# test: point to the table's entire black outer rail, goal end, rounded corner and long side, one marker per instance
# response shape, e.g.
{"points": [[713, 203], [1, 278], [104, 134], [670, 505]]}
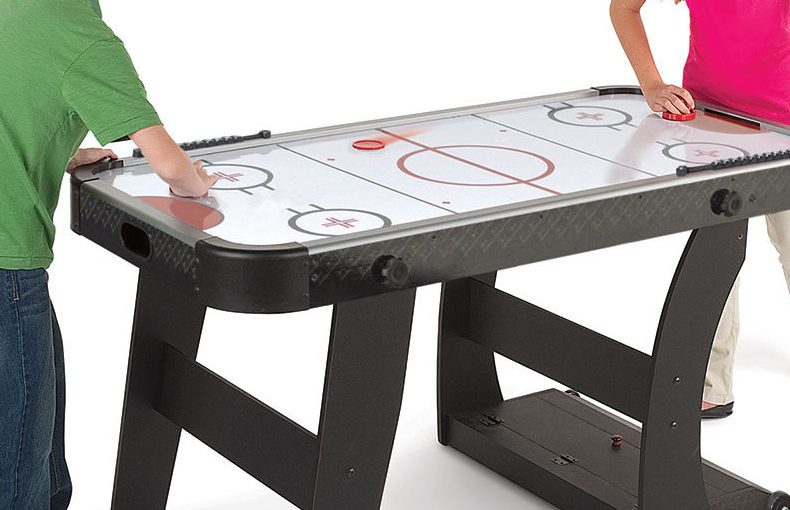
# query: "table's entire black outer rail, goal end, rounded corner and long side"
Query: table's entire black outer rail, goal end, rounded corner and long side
{"points": [[273, 279]]}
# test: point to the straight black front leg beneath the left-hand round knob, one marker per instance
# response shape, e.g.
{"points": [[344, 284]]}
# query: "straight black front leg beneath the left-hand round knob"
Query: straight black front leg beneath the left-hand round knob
{"points": [[363, 391]]}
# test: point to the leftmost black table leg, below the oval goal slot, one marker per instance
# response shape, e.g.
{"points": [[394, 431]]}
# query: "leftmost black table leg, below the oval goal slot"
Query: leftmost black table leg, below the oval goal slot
{"points": [[149, 441]]}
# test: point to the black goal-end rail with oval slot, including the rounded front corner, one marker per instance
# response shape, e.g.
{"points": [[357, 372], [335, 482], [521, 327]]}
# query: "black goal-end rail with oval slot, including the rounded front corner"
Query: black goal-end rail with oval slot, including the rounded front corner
{"points": [[225, 276]]}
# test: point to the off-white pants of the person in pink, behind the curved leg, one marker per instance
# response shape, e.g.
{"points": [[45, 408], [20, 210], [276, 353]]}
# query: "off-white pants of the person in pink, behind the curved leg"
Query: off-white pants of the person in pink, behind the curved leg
{"points": [[718, 382]]}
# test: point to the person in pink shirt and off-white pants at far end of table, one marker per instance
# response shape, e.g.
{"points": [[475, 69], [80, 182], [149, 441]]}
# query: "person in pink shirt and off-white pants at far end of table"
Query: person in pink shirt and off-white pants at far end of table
{"points": [[739, 57]]}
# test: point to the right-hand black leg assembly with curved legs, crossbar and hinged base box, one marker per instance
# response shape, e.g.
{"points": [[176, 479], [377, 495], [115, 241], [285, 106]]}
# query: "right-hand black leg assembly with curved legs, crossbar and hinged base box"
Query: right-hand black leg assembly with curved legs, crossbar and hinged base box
{"points": [[567, 450]]}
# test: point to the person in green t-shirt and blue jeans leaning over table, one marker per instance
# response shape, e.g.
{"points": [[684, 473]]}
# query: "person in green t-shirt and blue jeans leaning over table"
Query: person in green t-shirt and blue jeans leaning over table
{"points": [[64, 73]]}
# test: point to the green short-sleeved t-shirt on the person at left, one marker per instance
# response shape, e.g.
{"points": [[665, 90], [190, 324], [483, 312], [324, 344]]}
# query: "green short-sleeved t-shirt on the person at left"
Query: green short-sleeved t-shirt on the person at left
{"points": [[62, 73]]}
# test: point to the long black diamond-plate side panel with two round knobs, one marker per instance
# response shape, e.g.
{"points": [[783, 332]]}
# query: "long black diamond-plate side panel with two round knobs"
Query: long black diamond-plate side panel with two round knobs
{"points": [[479, 248]]}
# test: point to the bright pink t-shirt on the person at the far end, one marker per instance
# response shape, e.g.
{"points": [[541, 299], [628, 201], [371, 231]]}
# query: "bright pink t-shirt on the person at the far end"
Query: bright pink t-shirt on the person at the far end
{"points": [[739, 56]]}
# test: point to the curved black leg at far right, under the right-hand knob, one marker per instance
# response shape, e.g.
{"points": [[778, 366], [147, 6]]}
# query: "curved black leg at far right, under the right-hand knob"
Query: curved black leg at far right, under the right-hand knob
{"points": [[671, 431]]}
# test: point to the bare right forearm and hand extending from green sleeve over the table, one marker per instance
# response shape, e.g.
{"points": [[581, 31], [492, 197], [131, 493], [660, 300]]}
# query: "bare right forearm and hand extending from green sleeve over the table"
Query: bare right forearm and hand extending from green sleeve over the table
{"points": [[172, 164]]}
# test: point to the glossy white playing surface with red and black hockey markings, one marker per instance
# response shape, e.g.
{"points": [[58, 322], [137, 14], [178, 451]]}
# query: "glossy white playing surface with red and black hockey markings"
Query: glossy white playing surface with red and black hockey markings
{"points": [[319, 187]]}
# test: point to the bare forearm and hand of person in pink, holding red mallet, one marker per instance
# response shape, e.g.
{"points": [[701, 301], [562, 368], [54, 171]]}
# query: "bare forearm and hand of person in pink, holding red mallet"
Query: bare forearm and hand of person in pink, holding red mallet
{"points": [[661, 97]]}
